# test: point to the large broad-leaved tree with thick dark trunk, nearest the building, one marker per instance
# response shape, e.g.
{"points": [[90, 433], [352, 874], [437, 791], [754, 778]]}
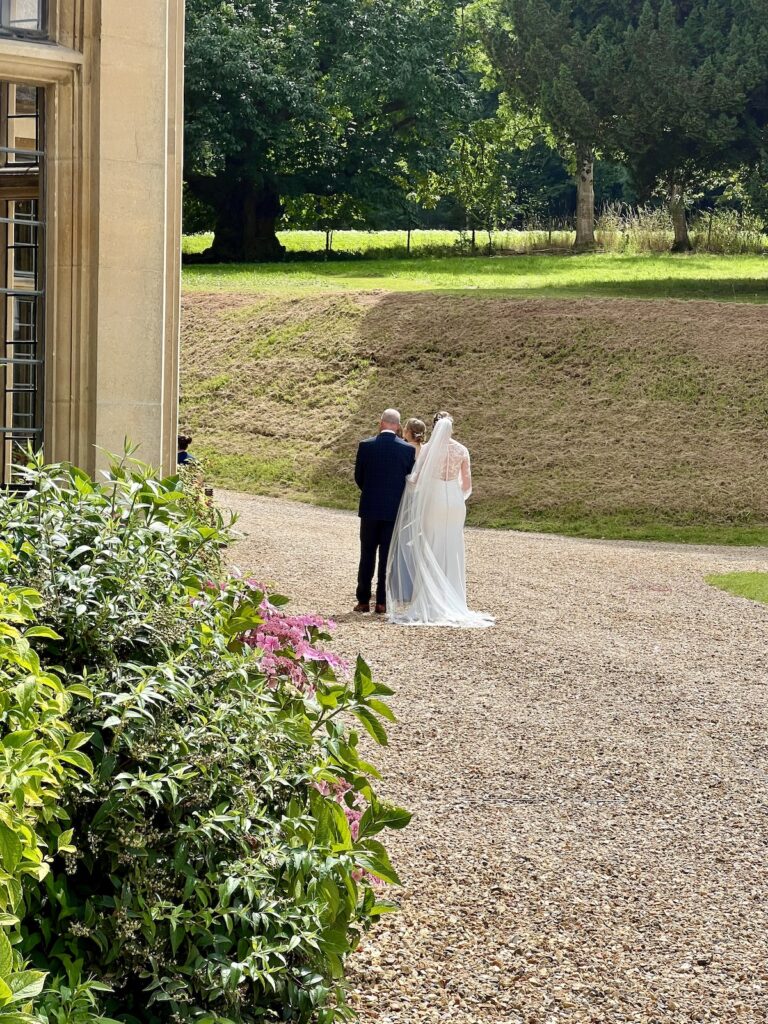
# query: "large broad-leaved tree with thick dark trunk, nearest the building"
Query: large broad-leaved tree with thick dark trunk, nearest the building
{"points": [[294, 98]]}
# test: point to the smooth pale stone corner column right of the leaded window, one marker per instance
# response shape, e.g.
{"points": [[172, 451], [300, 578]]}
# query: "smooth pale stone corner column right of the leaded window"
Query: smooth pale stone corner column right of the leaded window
{"points": [[138, 114]]}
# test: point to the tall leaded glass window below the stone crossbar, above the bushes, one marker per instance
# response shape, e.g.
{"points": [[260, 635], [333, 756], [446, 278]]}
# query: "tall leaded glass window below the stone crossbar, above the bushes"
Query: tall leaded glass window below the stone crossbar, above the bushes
{"points": [[23, 291]]}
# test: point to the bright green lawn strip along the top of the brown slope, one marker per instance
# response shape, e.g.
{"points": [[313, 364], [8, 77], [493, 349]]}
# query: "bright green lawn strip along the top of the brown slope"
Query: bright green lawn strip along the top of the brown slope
{"points": [[743, 279]]}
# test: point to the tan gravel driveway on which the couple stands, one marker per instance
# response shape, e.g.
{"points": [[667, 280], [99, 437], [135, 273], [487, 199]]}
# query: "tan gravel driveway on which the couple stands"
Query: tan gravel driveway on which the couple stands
{"points": [[589, 780]]}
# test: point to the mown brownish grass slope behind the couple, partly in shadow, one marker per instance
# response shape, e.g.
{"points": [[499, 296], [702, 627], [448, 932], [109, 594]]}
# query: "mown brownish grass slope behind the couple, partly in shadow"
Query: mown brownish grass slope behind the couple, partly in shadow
{"points": [[587, 416]]}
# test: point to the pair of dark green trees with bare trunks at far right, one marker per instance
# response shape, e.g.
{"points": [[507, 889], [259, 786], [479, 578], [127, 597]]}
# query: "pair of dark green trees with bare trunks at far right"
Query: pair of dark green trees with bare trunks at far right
{"points": [[674, 89]]}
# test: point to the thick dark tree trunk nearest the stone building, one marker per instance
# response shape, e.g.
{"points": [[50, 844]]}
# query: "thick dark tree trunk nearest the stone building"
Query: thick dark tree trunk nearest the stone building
{"points": [[246, 221]]}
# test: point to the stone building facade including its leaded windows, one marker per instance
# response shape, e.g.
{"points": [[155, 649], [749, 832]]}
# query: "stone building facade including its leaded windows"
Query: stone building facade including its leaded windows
{"points": [[91, 218]]}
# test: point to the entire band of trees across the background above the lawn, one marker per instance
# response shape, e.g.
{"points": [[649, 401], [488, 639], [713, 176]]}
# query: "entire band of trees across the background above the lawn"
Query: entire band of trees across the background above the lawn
{"points": [[364, 110]]}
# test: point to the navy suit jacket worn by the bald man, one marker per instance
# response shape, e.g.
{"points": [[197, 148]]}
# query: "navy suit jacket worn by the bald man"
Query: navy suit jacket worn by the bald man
{"points": [[380, 472]]}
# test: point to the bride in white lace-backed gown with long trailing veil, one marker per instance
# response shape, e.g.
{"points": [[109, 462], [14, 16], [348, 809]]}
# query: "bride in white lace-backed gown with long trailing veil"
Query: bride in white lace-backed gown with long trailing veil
{"points": [[426, 584]]}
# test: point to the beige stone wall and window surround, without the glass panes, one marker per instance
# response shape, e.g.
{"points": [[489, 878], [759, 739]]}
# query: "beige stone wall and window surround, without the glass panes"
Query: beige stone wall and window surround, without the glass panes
{"points": [[113, 197]]}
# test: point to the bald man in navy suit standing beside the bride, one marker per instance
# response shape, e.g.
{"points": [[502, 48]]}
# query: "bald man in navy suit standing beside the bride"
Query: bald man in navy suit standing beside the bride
{"points": [[380, 472]]}
